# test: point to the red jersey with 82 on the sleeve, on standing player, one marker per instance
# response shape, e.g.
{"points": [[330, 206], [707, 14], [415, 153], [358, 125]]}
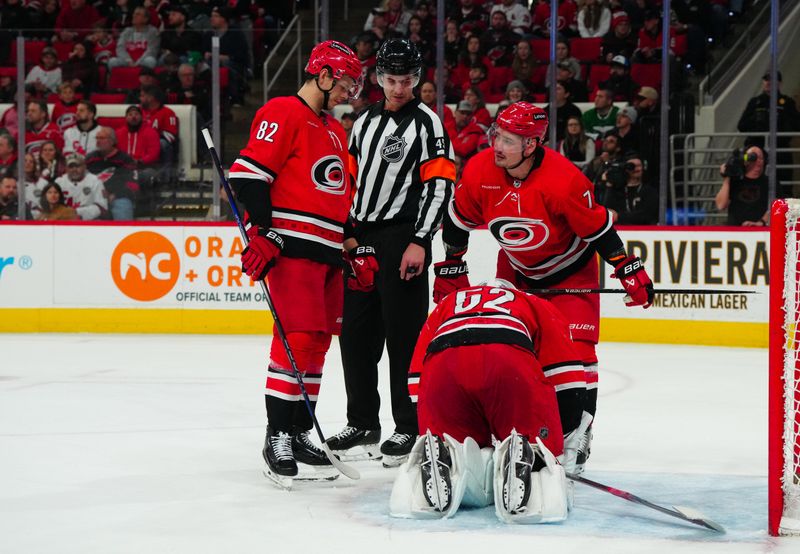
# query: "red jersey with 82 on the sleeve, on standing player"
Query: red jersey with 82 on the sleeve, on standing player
{"points": [[302, 157]]}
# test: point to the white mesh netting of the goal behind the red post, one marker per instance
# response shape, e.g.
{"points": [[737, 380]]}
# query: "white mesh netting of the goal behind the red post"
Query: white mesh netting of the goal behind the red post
{"points": [[790, 522]]}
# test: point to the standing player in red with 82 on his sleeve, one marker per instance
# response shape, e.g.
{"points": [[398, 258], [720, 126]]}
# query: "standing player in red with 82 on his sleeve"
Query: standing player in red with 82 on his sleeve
{"points": [[292, 179]]}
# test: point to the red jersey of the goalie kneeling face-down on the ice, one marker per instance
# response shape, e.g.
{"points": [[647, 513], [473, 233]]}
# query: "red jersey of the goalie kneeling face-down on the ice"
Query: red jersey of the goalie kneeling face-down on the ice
{"points": [[486, 315]]}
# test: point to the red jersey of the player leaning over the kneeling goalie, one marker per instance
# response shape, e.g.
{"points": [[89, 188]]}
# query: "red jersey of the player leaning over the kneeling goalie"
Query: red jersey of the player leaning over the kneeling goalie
{"points": [[544, 224]]}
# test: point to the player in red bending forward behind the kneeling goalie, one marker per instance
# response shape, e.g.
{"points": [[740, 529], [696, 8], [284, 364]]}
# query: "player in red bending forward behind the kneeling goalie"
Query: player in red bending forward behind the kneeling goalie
{"points": [[541, 210]]}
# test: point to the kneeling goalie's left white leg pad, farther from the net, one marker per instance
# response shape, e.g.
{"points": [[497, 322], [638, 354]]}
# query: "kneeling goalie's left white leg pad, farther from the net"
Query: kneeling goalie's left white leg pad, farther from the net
{"points": [[418, 491]]}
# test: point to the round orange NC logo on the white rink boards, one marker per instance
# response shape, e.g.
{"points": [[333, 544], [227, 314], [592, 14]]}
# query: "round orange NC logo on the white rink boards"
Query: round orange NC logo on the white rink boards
{"points": [[145, 266]]}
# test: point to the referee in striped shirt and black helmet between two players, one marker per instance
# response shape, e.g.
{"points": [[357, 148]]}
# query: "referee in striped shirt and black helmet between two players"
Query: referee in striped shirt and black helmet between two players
{"points": [[402, 164]]}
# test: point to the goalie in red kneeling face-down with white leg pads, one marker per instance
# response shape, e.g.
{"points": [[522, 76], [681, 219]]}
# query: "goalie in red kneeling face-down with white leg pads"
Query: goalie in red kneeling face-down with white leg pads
{"points": [[492, 361]]}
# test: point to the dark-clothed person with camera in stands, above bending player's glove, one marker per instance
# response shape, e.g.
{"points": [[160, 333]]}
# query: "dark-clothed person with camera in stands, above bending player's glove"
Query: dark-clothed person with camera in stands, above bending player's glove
{"points": [[630, 200]]}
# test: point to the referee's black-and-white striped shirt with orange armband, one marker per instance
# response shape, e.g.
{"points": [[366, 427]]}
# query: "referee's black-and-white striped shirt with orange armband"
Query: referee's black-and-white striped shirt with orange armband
{"points": [[403, 168]]}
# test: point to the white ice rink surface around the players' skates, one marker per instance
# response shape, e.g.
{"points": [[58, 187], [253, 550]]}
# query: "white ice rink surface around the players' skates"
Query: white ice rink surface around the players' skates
{"points": [[153, 444]]}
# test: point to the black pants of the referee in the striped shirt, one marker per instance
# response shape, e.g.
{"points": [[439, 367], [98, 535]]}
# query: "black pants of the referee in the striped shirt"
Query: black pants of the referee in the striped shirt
{"points": [[393, 313]]}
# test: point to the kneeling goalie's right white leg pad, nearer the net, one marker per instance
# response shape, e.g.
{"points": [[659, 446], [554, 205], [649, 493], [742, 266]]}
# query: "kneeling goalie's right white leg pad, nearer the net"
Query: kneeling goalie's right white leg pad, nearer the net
{"points": [[522, 495]]}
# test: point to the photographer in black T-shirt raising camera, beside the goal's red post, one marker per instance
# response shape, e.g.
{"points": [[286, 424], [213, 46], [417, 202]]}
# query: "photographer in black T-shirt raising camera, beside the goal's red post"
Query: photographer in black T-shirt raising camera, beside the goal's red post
{"points": [[745, 188]]}
